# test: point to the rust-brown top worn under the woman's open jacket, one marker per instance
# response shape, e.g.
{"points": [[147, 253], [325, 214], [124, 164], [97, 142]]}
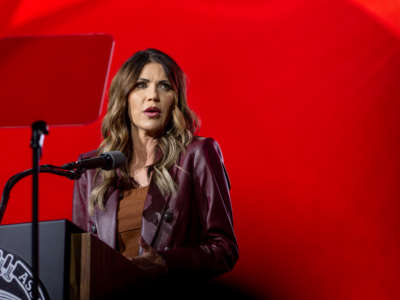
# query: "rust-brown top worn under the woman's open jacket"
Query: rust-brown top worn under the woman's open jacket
{"points": [[129, 217]]}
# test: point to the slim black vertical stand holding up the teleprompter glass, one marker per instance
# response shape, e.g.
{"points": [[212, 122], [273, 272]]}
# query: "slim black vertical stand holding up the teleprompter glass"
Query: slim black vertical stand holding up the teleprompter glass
{"points": [[39, 128]]}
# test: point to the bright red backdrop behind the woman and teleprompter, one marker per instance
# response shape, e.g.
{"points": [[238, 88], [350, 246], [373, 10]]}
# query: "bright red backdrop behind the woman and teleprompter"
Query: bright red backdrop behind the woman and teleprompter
{"points": [[303, 97]]}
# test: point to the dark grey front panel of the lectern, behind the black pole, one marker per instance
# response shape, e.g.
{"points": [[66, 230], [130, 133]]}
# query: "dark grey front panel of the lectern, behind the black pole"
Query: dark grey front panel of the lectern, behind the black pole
{"points": [[54, 254]]}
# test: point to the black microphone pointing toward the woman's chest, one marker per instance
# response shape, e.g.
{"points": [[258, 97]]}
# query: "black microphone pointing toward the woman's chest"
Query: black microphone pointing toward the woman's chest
{"points": [[106, 161]]}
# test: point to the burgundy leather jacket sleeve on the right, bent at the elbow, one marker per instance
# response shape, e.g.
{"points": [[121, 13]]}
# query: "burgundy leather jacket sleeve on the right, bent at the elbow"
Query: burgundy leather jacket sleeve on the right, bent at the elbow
{"points": [[218, 251]]}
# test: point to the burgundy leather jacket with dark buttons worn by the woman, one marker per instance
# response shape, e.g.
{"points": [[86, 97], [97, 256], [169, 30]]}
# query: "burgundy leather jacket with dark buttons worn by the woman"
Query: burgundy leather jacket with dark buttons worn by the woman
{"points": [[191, 229]]}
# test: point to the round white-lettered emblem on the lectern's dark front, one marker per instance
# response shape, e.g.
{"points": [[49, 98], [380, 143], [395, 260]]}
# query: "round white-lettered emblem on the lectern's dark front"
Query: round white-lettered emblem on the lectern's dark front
{"points": [[16, 279]]}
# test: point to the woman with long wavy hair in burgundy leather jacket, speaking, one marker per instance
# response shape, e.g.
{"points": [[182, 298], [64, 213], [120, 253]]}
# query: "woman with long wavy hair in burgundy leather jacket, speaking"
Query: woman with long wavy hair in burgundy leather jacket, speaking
{"points": [[168, 209]]}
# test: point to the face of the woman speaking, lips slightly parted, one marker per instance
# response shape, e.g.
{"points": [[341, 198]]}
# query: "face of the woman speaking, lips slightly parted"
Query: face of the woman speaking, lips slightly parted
{"points": [[151, 100]]}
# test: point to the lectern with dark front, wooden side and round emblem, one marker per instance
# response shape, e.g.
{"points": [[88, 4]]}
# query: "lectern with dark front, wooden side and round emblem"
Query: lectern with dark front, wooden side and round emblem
{"points": [[73, 264]]}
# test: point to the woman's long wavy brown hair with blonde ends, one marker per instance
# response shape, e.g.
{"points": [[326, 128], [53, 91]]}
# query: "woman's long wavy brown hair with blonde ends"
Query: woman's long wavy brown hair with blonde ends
{"points": [[116, 128]]}
